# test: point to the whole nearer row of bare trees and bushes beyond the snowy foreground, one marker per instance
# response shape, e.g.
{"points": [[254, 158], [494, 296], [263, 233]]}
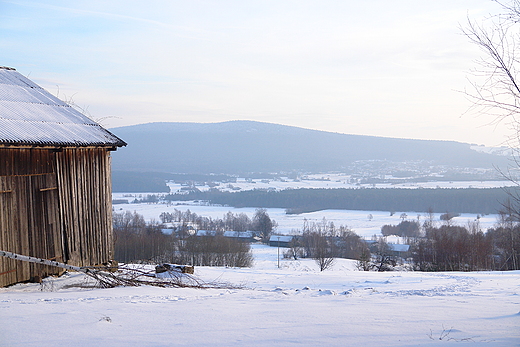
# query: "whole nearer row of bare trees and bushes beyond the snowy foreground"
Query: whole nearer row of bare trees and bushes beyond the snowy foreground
{"points": [[434, 245]]}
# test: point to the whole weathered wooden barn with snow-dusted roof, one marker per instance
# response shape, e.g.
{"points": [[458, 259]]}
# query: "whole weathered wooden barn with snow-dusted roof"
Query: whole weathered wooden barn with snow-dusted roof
{"points": [[55, 182]]}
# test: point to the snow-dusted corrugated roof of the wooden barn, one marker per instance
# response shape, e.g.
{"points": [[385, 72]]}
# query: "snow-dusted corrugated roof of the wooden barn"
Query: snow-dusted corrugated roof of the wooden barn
{"points": [[29, 115]]}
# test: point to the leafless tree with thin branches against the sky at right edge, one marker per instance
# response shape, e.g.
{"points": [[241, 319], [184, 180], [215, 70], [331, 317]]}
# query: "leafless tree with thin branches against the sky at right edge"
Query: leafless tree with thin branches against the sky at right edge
{"points": [[496, 92]]}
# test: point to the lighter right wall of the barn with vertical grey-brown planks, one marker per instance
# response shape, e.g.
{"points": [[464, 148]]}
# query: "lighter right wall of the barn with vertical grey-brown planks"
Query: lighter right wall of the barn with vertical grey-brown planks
{"points": [[86, 205]]}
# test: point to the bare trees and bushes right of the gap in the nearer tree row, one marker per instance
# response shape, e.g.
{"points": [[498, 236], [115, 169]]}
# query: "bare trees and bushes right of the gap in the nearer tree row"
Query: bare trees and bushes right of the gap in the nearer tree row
{"points": [[433, 247]]}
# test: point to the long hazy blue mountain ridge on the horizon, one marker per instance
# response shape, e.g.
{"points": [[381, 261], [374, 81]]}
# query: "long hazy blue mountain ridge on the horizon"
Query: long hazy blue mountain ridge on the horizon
{"points": [[238, 147]]}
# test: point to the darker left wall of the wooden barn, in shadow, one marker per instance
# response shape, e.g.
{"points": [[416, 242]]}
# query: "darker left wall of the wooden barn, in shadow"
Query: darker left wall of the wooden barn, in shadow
{"points": [[29, 213]]}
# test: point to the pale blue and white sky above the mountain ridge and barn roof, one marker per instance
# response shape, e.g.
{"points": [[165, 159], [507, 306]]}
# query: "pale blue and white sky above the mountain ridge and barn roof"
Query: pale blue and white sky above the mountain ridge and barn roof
{"points": [[377, 67]]}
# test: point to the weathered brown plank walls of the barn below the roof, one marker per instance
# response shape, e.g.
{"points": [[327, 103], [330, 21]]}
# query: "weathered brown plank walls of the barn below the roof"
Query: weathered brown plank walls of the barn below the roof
{"points": [[54, 205]]}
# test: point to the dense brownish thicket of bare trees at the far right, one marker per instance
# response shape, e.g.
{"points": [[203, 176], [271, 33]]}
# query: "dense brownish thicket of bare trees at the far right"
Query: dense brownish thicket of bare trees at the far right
{"points": [[449, 247]]}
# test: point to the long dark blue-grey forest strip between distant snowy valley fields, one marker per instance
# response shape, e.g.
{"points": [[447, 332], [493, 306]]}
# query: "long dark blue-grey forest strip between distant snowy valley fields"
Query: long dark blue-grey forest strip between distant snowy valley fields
{"points": [[469, 200]]}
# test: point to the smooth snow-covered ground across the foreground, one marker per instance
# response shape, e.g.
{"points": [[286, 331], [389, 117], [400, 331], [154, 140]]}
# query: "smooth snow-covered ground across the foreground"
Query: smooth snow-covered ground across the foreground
{"points": [[294, 305]]}
